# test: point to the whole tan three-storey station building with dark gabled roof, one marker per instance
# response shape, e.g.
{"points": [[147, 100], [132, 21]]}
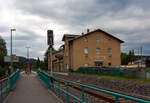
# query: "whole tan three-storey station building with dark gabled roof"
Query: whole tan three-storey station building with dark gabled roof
{"points": [[93, 49]]}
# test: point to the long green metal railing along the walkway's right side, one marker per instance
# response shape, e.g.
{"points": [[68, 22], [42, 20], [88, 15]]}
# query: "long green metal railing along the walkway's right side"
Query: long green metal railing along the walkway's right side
{"points": [[50, 83]]}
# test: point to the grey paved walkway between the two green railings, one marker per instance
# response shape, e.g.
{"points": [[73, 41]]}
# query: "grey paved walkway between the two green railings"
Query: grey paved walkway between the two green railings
{"points": [[30, 90]]}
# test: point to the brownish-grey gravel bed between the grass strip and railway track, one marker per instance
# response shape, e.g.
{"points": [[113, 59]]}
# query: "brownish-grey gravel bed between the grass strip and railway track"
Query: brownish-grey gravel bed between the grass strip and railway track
{"points": [[127, 86]]}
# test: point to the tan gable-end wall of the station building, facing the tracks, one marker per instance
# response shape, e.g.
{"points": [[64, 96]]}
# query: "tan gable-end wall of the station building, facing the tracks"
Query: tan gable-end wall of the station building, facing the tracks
{"points": [[79, 57]]}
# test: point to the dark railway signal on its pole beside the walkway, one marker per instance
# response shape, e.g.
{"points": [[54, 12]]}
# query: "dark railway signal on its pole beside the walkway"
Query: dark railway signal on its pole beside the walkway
{"points": [[50, 43]]}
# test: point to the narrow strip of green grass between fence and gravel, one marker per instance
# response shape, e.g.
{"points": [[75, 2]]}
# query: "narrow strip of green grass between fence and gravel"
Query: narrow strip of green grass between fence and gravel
{"points": [[116, 78]]}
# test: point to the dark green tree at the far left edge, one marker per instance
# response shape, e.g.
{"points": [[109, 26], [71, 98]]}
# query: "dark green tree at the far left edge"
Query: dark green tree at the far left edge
{"points": [[3, 51]]}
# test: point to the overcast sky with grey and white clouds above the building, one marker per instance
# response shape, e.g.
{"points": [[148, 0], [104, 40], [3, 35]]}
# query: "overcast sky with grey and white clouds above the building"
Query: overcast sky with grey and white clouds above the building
{"points": [[129, 20]]}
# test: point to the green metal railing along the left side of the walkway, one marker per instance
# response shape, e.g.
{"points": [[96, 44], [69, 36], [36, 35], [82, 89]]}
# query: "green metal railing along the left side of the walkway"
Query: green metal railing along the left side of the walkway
{"points": [[8, 84]]}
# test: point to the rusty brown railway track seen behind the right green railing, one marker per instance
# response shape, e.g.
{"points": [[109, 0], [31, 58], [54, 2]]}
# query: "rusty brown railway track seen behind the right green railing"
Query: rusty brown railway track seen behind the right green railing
{"points": [[100, 97]]}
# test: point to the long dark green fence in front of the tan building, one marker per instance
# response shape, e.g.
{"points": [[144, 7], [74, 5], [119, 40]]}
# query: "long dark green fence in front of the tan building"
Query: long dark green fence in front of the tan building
{"points": [[117, 72]]}
